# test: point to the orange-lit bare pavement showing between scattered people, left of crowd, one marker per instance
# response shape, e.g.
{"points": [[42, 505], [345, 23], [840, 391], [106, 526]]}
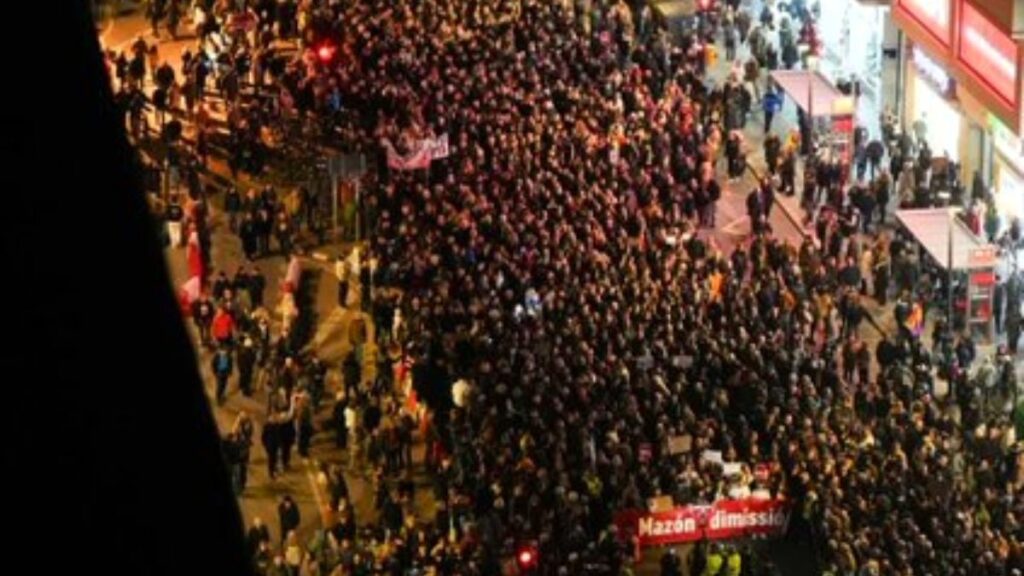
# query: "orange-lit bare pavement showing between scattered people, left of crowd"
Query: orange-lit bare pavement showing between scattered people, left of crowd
{"points": [[331, 340]]}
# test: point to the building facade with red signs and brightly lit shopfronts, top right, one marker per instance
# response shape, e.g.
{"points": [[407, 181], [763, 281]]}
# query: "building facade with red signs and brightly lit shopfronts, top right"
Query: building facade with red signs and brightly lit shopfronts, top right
{"points": [[962, 74]]}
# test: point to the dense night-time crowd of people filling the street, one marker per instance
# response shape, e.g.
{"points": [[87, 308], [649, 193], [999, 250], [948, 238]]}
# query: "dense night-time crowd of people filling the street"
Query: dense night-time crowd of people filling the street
{"points": [[552, 274]]}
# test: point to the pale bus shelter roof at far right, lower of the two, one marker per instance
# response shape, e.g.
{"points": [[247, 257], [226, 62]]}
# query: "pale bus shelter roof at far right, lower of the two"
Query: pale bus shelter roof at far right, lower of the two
{"points": [[931, 228]]}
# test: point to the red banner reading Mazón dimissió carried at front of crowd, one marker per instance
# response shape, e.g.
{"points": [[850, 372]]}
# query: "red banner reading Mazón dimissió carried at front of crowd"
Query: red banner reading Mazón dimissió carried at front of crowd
{"points": [[722, 521]]}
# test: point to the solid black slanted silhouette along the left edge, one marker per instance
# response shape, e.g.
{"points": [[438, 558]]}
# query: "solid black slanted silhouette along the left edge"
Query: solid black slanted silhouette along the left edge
{"points": [[116, 463]]}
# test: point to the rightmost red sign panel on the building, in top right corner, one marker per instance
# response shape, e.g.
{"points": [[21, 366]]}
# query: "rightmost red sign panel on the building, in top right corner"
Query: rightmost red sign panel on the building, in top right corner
{"points": [[990, 54]]}
